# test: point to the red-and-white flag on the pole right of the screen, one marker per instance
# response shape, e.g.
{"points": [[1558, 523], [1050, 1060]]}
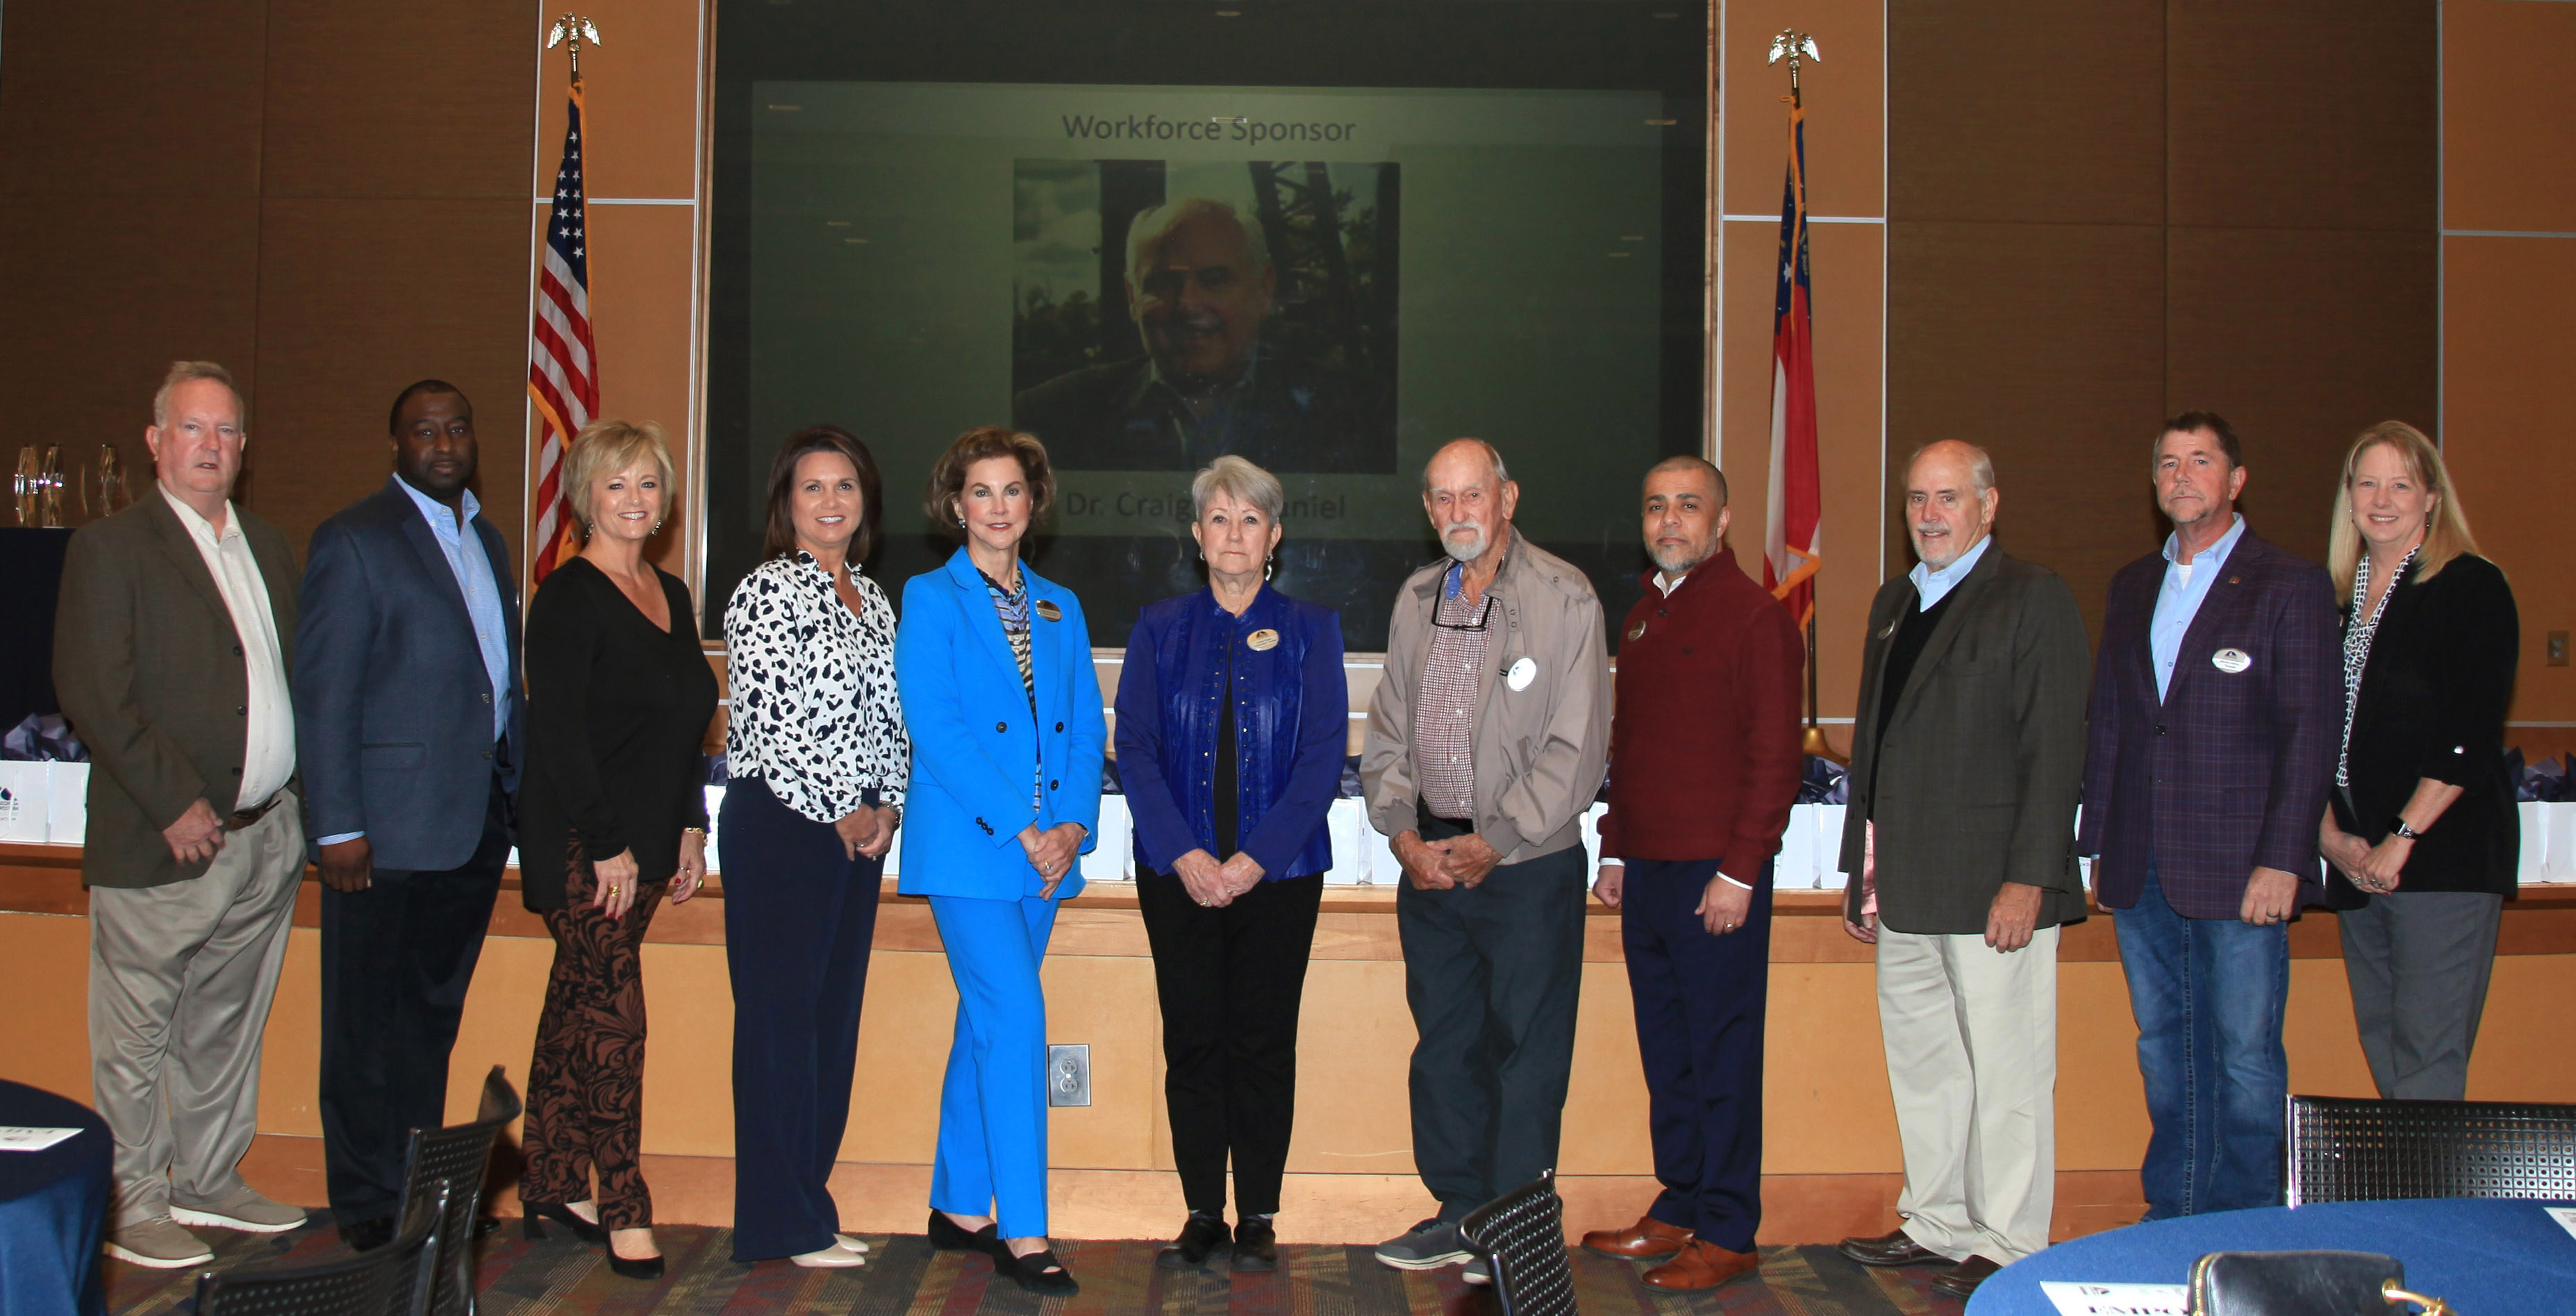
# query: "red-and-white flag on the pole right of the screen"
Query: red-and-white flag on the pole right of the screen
{"points": [[1797, 488]]}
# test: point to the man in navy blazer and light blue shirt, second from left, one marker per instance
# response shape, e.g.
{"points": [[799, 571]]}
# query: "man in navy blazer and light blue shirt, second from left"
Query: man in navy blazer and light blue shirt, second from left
{"points": [[408, 720]]}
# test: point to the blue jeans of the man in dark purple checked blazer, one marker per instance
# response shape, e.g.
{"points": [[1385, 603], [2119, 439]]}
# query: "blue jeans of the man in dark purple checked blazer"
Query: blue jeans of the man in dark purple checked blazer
{"points": [[2209, 998]]}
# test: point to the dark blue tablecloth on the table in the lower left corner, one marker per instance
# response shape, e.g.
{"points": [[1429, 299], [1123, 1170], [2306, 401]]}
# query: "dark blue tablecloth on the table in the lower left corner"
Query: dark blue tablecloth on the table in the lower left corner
{"points": [[53, 1207]]}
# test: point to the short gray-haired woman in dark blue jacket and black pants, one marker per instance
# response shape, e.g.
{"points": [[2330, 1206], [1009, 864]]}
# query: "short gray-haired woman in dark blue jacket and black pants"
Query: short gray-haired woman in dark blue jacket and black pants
{"points": [[1233, 722]]}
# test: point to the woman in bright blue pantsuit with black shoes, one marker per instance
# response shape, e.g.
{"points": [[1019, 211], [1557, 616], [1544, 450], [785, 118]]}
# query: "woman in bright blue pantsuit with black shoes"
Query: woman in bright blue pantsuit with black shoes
{"points": [[996, 673]]}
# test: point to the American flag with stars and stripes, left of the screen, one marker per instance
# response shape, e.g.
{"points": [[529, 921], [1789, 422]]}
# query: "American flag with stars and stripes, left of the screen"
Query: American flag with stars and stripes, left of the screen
{"points": [[563, 370]]}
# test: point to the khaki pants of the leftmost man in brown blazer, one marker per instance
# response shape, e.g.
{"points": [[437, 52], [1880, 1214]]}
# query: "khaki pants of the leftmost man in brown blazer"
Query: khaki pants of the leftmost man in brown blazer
{"points": [[182, 980]]}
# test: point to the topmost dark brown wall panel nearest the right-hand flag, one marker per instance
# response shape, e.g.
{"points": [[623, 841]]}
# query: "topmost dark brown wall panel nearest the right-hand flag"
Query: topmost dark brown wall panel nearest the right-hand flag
{"points": [[2026, 109]]}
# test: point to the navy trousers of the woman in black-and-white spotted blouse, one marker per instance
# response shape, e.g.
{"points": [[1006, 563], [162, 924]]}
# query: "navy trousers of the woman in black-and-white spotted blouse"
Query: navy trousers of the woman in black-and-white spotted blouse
{"points": [[800, 916]]}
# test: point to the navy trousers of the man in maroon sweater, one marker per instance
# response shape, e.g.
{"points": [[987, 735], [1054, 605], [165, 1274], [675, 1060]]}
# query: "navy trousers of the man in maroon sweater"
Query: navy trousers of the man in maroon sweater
{"points": [[1699, 1029]]}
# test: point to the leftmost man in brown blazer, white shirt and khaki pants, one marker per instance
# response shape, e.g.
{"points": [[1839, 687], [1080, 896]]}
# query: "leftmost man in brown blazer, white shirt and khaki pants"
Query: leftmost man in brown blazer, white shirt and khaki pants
{"points": [[171, 666]]}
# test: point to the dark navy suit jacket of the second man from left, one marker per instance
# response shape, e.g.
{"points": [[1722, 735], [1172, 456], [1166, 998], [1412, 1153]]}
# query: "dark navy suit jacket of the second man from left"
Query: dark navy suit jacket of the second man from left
{"points": [[393, 697]]}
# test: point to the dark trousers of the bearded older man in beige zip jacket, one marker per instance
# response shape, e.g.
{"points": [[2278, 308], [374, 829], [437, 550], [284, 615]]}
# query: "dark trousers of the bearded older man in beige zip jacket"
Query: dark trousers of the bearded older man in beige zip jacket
{"points": [[1493, 980]]}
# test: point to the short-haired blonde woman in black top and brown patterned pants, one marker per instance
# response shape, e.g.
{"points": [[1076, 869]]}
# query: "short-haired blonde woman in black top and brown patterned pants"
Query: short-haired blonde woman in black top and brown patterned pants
{"points": [[609, 815]]}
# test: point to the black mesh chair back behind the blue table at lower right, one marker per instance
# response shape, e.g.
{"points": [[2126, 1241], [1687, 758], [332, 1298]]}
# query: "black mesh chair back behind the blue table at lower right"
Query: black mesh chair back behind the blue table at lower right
{"points": [[2348, 1150]]}
